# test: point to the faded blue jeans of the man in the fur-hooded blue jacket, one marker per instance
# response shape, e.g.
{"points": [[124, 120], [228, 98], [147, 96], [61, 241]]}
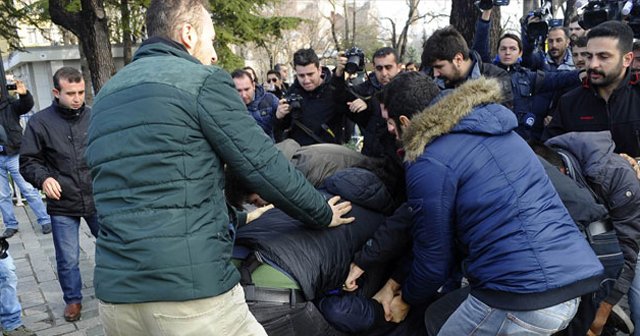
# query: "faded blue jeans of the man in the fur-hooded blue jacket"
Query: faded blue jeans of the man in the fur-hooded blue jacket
{"points": [[474, 317]]}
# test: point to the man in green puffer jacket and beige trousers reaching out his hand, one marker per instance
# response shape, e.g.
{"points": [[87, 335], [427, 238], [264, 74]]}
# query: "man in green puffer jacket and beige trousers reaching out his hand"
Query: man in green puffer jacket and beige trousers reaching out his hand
{"points": [[161, 133]]}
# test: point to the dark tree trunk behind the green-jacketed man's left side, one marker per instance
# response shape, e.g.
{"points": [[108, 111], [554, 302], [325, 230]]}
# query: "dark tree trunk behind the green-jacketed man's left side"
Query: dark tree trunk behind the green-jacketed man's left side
{"points": [[90, 25]]}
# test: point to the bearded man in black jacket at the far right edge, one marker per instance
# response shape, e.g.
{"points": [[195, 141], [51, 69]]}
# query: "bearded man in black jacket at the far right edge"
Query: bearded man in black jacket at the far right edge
{"points": [[610, 96]]}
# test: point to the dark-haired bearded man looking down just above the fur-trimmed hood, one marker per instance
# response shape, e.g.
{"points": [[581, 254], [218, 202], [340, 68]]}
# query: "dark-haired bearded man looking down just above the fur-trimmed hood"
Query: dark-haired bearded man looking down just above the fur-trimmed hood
{"points": [[446, 52]]}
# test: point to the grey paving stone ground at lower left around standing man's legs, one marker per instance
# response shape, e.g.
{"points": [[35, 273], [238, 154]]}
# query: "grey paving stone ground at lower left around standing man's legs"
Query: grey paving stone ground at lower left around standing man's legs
{"points": [[38, 287]]}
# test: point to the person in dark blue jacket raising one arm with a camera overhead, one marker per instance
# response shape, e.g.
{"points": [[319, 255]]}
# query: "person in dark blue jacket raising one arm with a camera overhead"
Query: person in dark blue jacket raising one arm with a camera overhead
{"points": [[532, 90]]}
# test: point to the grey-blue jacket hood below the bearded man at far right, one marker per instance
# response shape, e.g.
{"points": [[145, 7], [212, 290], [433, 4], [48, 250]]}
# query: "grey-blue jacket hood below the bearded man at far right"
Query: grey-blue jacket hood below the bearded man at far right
{"points": [[589, 148]]}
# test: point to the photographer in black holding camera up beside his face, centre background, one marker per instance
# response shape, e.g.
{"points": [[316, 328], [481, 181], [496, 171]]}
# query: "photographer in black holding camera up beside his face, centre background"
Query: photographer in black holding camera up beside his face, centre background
{"points": [[364, 108]]}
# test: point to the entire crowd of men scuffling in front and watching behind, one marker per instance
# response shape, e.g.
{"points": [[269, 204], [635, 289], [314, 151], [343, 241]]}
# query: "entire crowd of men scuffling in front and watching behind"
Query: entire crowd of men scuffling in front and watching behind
{"points": [[491, 196]]}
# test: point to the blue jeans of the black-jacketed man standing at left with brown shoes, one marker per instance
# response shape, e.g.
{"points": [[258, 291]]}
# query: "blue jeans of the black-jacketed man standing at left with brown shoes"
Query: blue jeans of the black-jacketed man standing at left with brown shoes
{"points": [[66, 241]]}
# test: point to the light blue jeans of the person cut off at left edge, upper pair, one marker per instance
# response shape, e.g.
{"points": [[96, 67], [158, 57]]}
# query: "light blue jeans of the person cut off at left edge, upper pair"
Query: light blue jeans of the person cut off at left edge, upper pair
{"points": [[10, 165]]}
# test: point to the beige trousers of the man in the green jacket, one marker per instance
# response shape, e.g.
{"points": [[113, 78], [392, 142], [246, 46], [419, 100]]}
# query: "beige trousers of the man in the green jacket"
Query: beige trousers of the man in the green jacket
{"points": [[224, 315]]}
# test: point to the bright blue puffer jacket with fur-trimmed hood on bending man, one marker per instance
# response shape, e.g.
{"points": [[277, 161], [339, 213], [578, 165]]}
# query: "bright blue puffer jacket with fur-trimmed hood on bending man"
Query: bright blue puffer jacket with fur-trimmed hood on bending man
{"points": [[478, 191]]}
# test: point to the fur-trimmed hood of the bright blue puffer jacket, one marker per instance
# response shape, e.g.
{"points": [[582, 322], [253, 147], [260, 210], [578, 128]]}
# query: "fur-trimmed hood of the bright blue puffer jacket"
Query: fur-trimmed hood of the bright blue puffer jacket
{"points": [[471, 108]]}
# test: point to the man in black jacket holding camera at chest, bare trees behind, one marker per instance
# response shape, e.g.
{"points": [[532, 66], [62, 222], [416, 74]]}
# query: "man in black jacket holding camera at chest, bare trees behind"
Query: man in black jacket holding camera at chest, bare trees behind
{"points": [[309, 113]]}
